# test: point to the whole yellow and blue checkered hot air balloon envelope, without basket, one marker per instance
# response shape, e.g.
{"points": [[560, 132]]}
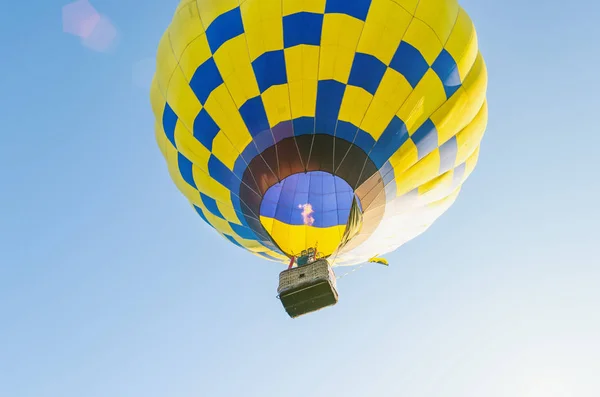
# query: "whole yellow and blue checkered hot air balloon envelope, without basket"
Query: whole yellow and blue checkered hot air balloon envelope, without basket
{"points": [[274, 116]]}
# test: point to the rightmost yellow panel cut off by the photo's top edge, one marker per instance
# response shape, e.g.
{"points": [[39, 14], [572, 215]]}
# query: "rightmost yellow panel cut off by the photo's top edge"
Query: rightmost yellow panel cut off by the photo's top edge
{"points": [[440, 15]]}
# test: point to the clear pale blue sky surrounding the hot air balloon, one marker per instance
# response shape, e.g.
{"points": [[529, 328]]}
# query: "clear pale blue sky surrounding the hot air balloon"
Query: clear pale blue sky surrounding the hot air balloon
{"points": [[110, 285]]}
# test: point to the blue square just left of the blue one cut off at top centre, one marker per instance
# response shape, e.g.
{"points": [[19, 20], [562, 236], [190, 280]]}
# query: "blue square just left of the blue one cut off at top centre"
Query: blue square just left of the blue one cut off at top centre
{"points": [[302, 28]]}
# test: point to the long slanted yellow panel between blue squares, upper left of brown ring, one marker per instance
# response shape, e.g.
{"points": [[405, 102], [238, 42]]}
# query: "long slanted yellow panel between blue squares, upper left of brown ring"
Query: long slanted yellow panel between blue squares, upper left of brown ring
{"points": [[223, 111]]}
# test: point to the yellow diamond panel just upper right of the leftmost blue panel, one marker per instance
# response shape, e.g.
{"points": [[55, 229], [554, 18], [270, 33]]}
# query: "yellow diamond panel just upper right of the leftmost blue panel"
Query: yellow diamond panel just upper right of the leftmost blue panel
{"points": [[182, 99]]}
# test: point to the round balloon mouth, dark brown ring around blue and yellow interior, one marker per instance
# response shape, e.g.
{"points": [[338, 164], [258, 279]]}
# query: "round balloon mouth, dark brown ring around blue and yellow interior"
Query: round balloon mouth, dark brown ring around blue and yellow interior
{"points": [[291, 222]]}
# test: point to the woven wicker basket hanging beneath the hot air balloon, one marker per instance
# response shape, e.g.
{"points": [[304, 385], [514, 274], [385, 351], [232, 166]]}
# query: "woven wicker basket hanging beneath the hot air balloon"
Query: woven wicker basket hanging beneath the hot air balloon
{"points": [[307, 288]]}
